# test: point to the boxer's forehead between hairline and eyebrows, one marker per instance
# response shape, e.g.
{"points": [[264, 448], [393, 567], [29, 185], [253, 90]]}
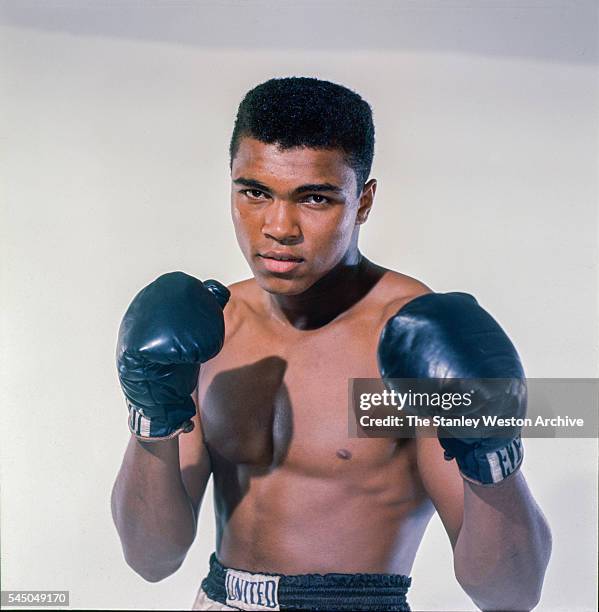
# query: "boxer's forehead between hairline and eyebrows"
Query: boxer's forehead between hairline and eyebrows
{"points": [[268, 162]]}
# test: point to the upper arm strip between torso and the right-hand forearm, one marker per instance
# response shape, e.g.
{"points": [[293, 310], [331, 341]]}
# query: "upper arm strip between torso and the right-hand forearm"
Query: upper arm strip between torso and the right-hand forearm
{"points": [[442, 482]]}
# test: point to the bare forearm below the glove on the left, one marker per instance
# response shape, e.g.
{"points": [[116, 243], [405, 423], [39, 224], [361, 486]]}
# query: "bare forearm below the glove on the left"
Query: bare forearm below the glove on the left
{"points": [[151, 509]]}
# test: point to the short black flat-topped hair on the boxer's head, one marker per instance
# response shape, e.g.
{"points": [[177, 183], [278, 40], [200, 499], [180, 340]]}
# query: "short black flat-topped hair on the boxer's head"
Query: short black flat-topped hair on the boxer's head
{"points": [[308, 112]]}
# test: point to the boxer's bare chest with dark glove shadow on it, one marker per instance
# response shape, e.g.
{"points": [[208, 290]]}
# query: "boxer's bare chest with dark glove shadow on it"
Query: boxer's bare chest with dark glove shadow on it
{"points": [[270, 400]]}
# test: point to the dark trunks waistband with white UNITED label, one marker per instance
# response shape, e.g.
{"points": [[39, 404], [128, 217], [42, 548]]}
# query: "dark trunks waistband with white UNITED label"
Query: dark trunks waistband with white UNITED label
{"points": [[243, 590]]}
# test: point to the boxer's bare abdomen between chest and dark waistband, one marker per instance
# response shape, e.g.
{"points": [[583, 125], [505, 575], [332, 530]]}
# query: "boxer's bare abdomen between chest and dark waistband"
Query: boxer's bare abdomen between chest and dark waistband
{"points": [[289, 522]]}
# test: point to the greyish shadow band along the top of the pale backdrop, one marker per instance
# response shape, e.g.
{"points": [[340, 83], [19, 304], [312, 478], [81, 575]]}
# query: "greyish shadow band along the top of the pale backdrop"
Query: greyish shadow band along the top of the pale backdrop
{"points": [[546, 30]]}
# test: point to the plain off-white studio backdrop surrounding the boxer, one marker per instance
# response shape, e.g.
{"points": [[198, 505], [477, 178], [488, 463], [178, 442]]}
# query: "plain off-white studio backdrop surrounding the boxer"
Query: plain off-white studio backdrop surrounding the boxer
{"points": [[116, 118]]}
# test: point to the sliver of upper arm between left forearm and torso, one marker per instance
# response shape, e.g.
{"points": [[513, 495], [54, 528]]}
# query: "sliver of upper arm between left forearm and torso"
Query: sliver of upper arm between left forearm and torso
{"points": [[194, 461]]}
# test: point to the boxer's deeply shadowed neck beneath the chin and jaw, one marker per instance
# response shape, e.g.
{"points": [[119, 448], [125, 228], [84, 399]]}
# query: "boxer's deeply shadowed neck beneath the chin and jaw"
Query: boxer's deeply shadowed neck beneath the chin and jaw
{"points": [[330, 296]]}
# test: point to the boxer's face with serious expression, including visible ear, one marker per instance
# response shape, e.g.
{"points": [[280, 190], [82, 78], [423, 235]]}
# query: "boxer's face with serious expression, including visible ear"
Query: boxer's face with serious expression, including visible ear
{"points": [[295, 212]]}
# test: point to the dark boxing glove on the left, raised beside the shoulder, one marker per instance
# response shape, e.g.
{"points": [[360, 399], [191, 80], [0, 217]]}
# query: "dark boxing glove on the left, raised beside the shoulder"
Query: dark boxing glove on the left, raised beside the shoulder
{"points": [[170, 328]]}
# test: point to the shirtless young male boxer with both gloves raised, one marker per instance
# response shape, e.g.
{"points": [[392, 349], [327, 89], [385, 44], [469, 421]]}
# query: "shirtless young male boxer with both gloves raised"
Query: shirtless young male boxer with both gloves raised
{"points": [[308, 517]]}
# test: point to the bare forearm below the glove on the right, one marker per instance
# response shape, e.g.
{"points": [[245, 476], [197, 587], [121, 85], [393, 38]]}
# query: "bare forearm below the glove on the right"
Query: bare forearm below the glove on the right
{"points": [[503, 547]]}
